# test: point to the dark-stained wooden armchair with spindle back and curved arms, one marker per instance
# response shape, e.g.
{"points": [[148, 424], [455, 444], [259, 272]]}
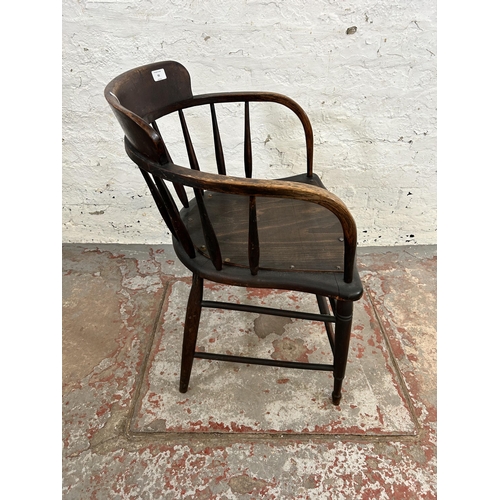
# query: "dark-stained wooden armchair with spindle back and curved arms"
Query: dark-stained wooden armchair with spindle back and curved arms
{"points": [[282, 234]]}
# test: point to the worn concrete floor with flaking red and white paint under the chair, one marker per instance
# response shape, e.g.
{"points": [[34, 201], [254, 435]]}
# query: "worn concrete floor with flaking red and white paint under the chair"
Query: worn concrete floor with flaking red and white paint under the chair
{"points": [[244, 431]]}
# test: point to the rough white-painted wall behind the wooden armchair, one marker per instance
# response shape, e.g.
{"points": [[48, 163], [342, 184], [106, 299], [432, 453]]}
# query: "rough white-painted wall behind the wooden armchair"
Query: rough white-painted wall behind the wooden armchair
{"points": [[370, 95]]}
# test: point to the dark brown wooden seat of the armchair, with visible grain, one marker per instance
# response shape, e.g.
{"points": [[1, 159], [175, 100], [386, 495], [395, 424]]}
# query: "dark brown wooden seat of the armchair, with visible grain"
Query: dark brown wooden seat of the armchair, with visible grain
{"points": [[301, 243]]}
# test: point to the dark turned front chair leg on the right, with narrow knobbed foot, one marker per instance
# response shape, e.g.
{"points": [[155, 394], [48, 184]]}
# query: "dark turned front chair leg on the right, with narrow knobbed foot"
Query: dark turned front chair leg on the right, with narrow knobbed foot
{"points": [[342, 337]]}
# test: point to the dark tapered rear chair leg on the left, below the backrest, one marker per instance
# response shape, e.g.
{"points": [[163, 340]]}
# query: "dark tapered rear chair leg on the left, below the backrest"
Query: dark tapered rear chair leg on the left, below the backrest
{"points": [[191, 325]]}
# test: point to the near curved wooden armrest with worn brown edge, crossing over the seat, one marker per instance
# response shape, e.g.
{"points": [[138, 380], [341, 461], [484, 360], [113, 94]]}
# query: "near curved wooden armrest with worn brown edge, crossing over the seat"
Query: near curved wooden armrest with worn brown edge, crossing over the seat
{"points": [[259, 187]]}
